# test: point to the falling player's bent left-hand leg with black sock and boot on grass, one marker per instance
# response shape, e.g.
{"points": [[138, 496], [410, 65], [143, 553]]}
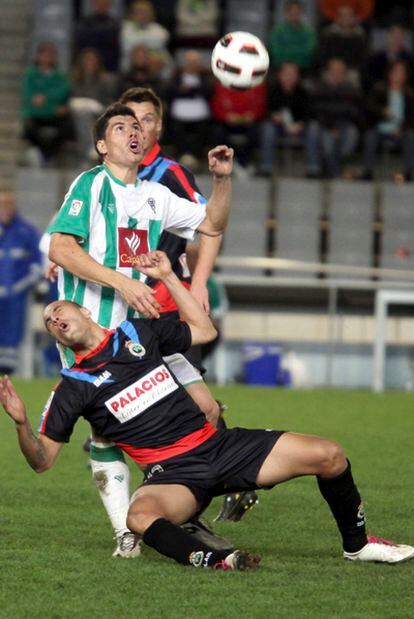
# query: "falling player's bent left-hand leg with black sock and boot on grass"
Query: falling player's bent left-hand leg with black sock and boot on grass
{"points": [[156, 512]]}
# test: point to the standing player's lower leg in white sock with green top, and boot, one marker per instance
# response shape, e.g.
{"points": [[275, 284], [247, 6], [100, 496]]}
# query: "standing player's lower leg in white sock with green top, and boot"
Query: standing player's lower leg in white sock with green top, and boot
{"points": [[111, 475]]}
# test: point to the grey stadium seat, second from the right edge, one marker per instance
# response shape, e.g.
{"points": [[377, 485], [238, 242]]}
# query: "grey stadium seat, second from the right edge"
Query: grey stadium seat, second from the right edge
{"points": [[350, 239]]}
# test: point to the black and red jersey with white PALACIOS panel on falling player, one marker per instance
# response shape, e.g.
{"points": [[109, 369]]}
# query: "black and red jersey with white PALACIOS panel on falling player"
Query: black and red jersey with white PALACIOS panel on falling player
{"points": [[129, 395]]}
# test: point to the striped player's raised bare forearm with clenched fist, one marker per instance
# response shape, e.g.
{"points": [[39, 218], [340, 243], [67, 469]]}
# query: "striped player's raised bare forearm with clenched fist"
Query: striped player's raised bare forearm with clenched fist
{"points": [[220, 163]]}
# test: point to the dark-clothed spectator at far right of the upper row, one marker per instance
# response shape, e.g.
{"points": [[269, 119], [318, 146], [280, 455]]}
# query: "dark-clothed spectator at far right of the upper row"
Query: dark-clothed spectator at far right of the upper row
{"points": [[397, 49]]}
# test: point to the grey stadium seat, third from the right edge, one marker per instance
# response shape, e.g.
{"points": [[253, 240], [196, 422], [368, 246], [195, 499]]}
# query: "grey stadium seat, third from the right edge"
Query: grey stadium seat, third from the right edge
{"points": [[297, 234]]}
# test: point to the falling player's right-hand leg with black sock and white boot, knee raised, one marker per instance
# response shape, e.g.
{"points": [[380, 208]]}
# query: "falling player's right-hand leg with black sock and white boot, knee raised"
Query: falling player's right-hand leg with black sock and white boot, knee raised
{"points": [[295, 455]]}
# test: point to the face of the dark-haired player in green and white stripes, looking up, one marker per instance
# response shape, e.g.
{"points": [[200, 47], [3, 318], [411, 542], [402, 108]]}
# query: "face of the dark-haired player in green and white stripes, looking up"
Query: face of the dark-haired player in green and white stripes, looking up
{"points": [[123, 142]]}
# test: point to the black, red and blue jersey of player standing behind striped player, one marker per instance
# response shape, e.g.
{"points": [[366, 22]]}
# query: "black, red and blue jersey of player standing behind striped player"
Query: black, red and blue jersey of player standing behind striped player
{"points": [[158, 168]]}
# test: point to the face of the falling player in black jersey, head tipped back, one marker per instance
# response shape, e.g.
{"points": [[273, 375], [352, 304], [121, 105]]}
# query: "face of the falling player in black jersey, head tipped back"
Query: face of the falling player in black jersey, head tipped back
{"points": [[68, 323]]}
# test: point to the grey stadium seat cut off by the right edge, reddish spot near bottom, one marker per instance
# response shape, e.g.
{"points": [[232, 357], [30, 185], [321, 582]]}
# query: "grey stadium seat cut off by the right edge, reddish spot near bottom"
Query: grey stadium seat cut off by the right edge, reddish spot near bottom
{"points": [[397, 247]]}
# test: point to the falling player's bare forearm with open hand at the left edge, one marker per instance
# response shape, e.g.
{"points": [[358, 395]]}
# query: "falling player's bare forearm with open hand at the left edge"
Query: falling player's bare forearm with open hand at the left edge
{"points": [[39, 451]]}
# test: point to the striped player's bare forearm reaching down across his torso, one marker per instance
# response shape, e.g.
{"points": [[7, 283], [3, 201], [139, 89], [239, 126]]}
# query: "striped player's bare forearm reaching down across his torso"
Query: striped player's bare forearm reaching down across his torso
{"points": [[68, 254]]}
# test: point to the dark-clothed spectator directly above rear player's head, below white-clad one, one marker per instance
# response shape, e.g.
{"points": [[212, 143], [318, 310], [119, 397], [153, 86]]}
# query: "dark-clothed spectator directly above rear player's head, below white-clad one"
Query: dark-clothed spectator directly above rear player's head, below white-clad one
{"points": [[146, 70]]}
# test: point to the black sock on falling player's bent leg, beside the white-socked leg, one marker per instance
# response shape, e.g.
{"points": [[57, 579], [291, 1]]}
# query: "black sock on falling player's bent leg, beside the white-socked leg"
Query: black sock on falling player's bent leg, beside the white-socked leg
{"points": [[172, 541]]}
